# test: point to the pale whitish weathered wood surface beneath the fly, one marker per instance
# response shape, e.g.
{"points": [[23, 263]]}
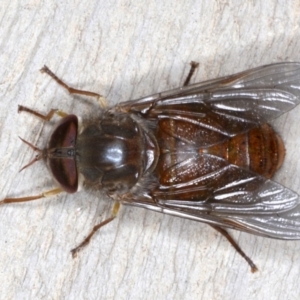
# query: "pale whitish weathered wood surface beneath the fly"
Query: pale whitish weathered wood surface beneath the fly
{"points": [[125, 50]]}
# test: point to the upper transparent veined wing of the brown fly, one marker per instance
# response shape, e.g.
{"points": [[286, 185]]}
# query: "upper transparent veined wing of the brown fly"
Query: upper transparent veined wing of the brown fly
{"points": [[237, 103]]}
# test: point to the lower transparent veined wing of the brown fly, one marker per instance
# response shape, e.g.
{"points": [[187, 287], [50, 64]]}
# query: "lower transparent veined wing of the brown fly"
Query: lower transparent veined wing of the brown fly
{"points": [[225, 195]]}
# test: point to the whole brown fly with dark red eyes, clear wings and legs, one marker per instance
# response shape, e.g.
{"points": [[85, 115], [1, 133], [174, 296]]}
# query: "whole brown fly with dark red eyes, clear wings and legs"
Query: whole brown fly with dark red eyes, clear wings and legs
{"points": [[203, 152]]}
